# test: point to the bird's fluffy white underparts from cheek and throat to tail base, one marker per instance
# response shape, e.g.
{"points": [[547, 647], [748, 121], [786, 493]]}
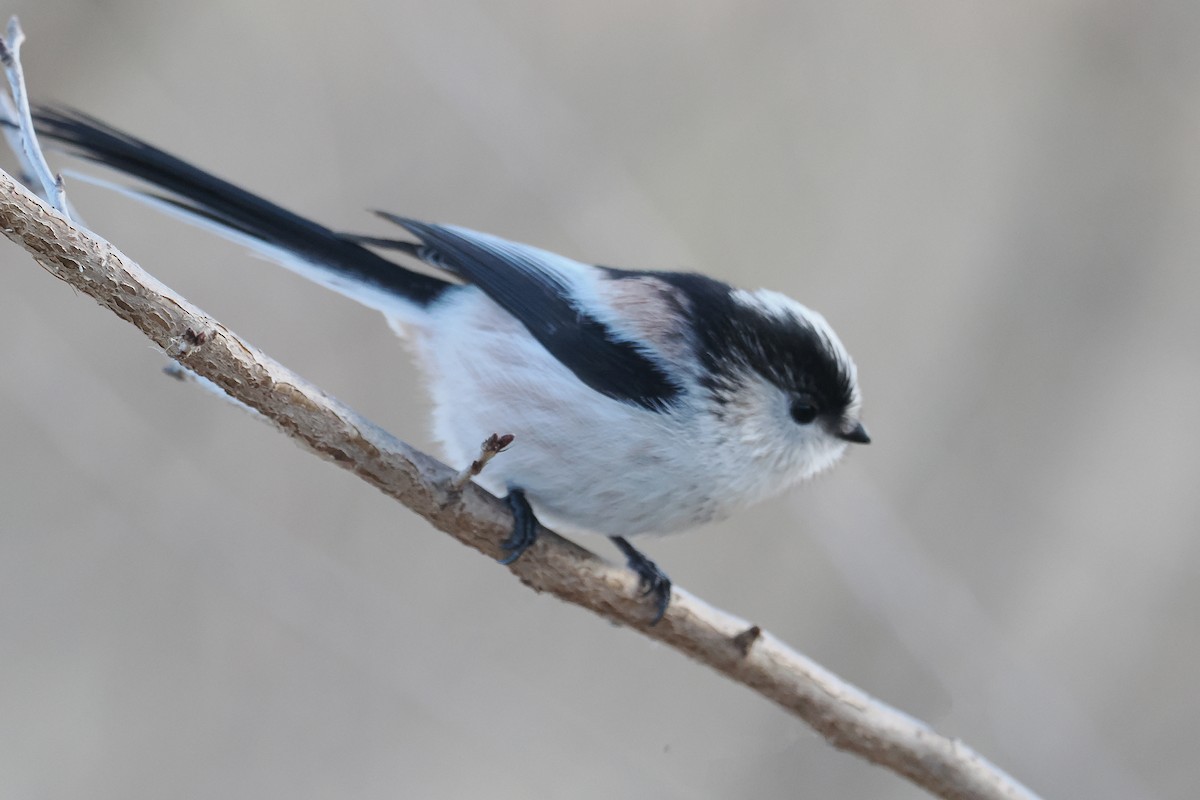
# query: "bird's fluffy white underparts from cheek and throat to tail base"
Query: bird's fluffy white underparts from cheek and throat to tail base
{"points": [[589, 462]]}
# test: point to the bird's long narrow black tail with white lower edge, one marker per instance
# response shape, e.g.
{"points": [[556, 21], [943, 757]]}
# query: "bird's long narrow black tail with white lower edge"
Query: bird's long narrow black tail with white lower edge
{"points": [[319, 254]]}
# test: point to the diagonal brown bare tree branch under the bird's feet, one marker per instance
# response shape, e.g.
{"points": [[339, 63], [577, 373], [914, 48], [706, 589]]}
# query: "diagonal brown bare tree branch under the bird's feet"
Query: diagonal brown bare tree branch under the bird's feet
{"points": [[848, 718]]}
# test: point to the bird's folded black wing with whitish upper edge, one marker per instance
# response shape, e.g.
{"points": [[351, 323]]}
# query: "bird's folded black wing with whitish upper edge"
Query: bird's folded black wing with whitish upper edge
{"points": [[524, 284]]}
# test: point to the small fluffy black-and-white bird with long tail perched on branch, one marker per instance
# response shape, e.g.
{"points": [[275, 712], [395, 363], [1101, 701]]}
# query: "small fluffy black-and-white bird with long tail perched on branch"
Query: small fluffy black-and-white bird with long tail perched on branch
{"points": [[641, 402]]}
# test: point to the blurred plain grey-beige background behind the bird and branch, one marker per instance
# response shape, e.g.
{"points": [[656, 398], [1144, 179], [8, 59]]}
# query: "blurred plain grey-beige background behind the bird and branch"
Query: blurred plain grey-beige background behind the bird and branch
{"points": [[997, 206]]}
